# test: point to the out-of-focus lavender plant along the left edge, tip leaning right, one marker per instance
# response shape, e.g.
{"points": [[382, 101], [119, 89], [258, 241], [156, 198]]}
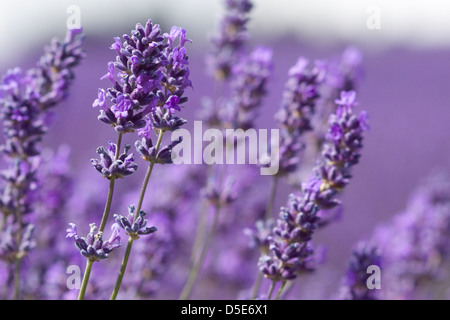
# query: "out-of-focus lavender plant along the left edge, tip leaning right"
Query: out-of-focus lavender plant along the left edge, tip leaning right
{"points": [[27, 99]]}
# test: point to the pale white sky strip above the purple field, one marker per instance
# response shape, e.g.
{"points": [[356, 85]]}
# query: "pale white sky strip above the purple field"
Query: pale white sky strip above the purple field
{"points": [[417, 23]]}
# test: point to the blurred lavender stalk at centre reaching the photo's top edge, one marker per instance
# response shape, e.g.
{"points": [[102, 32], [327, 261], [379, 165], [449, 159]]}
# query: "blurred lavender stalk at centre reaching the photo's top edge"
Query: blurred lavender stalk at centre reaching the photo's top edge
{"points": [[248, 84]]}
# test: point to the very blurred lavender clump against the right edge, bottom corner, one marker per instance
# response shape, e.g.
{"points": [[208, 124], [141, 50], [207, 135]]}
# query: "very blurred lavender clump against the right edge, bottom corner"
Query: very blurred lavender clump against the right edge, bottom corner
{"points": [[415, 245]]}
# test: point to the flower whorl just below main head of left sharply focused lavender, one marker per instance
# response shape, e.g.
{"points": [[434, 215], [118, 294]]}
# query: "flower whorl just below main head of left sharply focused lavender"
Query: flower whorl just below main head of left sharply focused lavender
{"points": [[113, 169]]}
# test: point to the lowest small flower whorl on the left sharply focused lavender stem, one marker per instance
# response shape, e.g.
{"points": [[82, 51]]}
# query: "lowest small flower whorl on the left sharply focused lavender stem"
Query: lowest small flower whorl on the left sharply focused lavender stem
{"points": [[92, 246]]}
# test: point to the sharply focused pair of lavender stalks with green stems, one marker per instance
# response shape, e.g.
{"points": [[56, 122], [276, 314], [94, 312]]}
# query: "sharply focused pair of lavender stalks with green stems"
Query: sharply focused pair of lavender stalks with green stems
{"points": [[147, 91]]}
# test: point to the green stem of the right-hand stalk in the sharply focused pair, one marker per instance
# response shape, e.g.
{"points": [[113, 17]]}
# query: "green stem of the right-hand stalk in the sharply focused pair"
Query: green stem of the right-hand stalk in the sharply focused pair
{"points": [[136, 214]]}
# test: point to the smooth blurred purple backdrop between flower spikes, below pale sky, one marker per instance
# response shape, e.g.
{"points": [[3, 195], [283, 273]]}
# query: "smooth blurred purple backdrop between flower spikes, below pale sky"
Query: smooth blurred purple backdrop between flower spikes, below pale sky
{"points": [[405, 91]]}
